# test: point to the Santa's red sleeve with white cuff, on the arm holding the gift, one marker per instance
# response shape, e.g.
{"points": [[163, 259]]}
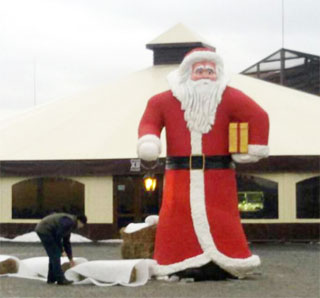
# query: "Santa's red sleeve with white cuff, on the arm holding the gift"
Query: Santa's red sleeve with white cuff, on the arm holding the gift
{"points": [[243, 109]]}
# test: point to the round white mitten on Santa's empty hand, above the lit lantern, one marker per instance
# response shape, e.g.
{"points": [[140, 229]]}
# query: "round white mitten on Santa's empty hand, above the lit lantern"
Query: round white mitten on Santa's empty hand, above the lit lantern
{"points": [[149, 147]]}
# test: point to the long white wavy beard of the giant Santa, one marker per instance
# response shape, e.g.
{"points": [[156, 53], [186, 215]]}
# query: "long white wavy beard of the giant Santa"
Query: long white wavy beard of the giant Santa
{"points": [[199, 102]]}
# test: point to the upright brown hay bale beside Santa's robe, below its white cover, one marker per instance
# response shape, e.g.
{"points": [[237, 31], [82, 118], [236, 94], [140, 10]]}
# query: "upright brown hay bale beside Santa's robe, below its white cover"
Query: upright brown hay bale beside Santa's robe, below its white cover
{"points": [[139, 244]]}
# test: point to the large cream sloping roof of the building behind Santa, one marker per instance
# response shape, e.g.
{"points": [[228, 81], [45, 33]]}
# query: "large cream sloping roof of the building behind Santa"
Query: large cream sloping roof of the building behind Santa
{"points": [[103, 123]]}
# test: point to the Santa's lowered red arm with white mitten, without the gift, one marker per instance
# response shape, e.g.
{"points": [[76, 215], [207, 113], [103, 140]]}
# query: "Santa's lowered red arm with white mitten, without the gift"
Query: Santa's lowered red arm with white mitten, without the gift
{"points": [[151, 124]]}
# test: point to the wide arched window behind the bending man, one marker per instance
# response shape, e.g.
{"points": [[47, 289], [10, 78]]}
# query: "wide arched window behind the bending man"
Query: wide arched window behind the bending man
{"points": [[38, 197]]}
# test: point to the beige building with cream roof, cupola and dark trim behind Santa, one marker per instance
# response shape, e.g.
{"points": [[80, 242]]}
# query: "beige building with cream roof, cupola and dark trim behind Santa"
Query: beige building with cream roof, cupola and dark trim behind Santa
{"points": [[79, 155]]}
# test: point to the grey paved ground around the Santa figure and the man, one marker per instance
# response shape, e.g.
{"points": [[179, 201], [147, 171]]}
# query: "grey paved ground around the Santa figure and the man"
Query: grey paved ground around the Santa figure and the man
{"points": [[288, 271]]}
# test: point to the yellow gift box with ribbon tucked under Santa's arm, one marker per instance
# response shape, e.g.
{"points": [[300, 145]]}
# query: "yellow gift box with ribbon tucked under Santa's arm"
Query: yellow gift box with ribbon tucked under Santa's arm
{"points": [[238, 137]]}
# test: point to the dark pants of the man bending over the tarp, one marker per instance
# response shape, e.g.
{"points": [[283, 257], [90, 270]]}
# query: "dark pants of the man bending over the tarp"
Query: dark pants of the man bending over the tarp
{"points": [[53, 250]]}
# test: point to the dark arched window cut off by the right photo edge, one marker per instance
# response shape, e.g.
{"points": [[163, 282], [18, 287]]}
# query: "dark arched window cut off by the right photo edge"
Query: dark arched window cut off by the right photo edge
{"points": [[308, 198]]}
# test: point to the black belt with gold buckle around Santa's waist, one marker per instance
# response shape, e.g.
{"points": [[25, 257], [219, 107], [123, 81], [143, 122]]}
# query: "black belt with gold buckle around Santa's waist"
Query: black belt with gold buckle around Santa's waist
{"points": [[196, 162]]}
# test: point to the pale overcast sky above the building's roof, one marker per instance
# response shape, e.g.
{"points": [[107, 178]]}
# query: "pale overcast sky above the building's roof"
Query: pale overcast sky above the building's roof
{"points": [[74, 45]]}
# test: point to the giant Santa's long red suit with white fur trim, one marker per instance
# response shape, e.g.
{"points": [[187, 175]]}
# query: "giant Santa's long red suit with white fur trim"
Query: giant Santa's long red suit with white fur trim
{"points": [[199, 220]]}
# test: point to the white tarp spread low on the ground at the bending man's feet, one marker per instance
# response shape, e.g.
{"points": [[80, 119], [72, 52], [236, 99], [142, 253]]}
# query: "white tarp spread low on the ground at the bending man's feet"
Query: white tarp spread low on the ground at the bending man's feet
{"points": [[101, 272]]}
